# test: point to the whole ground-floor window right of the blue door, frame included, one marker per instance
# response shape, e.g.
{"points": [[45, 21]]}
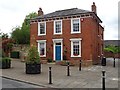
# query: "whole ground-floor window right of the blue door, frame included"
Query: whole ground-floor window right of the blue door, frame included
{"points": [[75, 47]]}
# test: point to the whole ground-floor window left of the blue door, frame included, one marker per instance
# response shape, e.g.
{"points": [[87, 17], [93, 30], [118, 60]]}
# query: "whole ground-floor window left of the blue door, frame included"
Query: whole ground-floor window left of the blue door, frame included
{"points": [[42, 48]]}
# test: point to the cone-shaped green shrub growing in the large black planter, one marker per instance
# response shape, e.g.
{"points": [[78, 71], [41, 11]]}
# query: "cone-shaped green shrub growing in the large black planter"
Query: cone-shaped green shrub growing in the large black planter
{"points": [[33, 56]]}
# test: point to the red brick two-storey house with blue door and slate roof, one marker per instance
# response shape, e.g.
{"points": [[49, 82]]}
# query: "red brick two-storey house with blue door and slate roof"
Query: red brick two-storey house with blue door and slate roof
{"points": [[71, 34]]}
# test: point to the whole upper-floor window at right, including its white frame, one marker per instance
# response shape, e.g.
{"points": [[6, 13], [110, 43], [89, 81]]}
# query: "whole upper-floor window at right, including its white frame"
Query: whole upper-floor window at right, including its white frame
{"points": [[75, 25]]}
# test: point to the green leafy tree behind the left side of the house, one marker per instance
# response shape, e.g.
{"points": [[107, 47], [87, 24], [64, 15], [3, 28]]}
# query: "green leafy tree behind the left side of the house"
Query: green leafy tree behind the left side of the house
{"points": [[22, 34]]}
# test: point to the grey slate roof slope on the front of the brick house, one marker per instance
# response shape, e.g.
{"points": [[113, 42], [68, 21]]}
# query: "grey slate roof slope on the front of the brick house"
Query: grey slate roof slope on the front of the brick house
{"points": [[66, 12]]}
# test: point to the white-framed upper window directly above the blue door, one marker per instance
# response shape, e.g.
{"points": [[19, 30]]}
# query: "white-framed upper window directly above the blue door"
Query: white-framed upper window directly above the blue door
{"points": [[58, 27]]}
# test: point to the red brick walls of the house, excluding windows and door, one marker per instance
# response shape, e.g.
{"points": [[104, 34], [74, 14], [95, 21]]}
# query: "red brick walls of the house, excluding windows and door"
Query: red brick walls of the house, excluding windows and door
{"points": [[89, 35]]}
